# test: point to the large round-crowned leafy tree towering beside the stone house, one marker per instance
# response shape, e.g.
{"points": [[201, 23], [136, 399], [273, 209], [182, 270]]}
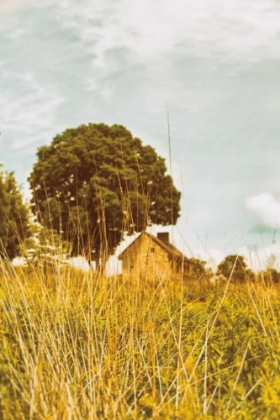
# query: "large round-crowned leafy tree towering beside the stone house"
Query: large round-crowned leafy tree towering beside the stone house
{"points": [[95, 182]]}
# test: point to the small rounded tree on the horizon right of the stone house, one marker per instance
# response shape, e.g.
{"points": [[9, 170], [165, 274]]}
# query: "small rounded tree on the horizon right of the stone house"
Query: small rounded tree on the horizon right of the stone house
{"points": [[234, 266]]}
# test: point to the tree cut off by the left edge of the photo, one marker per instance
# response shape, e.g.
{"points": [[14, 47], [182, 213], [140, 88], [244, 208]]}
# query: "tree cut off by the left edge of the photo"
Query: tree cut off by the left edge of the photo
{"points": [[14, 218]]}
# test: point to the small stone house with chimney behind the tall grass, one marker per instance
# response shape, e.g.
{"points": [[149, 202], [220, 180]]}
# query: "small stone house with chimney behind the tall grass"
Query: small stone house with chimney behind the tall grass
{"points": [[153, 257]]}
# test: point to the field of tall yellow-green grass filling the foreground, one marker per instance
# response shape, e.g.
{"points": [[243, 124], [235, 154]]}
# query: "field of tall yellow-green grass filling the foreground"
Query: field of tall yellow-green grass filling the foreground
{"points": [[77, 346]]}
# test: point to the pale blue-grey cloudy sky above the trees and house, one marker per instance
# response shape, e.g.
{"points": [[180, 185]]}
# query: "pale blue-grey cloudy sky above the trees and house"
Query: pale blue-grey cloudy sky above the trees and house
{"points": [[211, 65]]}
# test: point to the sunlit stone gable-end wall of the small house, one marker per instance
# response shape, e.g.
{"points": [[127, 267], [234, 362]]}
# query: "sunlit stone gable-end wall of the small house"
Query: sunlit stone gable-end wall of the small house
{"points": [[146, 259]]}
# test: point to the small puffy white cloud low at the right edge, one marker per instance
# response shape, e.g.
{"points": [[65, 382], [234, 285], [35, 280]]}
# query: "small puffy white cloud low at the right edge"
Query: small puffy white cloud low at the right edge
{"points": [[266, 207]]}
